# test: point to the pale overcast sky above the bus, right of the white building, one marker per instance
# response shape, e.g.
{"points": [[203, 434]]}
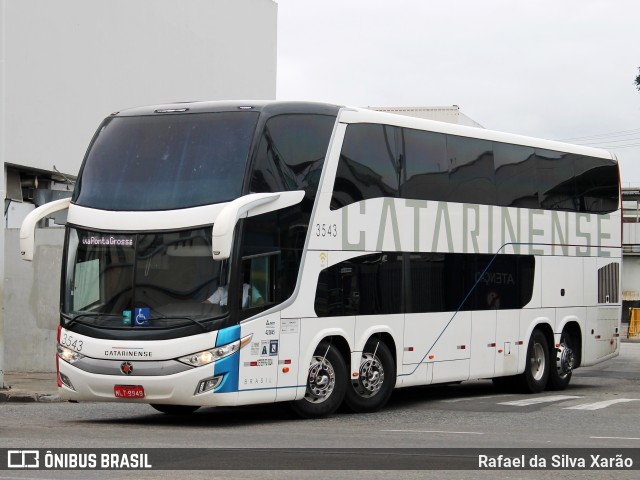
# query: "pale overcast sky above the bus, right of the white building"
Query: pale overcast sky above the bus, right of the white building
{"points": [[556, 69]]}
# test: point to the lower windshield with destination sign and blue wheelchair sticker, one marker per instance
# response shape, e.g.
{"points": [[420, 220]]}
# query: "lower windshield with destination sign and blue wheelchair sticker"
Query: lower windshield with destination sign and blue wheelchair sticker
{"points": [[160, 280]]}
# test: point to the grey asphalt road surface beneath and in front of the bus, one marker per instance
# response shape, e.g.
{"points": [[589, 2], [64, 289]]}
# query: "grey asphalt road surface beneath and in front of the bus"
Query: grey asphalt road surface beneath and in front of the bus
{"points": [[600, 409]]}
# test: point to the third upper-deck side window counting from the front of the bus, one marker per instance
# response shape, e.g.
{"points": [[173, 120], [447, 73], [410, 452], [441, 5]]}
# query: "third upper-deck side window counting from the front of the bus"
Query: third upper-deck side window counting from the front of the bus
{"points": [[471, 177]]}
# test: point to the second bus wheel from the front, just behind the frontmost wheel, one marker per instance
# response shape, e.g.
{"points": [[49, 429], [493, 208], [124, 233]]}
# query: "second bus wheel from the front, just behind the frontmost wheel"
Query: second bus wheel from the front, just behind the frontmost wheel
{"points": [[377, 378]]}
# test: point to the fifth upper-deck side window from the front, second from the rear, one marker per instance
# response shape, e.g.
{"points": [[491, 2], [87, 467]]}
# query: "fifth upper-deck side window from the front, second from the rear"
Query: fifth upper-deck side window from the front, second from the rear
{"points": [[556, 185]]}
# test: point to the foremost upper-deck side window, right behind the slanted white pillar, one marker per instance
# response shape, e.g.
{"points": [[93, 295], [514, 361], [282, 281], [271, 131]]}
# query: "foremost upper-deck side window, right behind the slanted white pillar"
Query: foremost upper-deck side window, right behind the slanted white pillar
{"points": [[368, 166]]}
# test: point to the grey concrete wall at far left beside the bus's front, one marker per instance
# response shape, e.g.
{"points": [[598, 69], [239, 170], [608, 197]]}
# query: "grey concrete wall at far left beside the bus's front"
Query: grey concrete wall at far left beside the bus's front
{"points": [[32, 302]]}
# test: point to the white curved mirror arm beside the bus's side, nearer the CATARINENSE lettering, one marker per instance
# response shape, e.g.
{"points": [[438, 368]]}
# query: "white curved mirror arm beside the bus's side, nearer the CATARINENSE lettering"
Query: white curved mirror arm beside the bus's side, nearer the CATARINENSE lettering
{"points": [[246, 206]]}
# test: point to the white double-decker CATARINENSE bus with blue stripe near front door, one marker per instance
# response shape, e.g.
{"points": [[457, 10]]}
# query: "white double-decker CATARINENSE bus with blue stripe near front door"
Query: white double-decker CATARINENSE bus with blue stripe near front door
{"points": [[224, 253]]}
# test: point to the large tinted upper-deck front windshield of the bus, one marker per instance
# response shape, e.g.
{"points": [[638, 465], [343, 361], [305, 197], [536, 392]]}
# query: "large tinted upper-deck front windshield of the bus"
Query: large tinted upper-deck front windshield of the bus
{"points": [[166, 162]]}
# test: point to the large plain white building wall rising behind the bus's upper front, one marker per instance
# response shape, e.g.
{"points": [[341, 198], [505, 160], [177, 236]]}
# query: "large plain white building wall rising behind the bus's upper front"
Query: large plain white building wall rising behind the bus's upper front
{"points": [[70, 63]]}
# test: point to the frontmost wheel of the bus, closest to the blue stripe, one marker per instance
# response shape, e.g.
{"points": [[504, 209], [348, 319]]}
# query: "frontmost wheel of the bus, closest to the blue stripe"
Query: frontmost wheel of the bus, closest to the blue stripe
{"points": [[326, 384]]}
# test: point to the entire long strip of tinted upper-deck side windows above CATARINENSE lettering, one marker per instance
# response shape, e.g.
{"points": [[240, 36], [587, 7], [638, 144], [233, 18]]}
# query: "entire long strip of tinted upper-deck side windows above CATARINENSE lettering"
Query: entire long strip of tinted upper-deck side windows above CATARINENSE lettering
{"points": [[435, 166]]}
